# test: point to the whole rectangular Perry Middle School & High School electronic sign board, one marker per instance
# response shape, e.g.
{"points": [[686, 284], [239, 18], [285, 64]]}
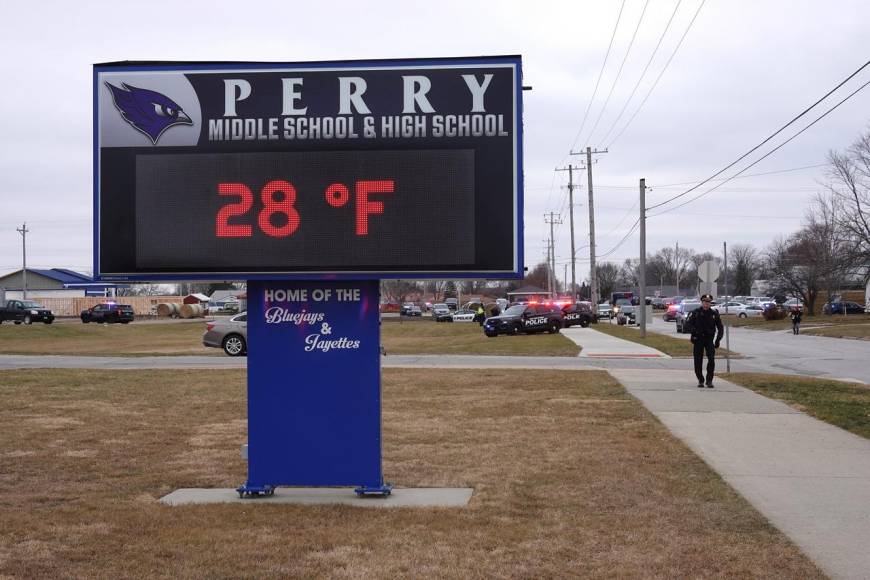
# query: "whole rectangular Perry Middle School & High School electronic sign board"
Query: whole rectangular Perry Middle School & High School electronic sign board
{"points": [[407, 168]]}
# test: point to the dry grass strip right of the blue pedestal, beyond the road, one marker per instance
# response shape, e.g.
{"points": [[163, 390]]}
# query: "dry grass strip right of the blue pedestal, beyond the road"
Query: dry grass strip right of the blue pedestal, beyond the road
{"points": [[425, 336]]}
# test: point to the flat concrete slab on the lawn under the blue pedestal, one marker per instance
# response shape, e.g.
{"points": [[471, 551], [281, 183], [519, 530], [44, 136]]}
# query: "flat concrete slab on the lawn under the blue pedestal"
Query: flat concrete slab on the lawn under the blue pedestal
{"points": [[400, 497]]}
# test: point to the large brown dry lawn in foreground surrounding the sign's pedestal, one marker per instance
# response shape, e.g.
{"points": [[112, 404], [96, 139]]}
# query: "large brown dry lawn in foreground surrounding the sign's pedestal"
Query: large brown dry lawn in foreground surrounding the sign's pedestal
{"points": [[572, 477]]}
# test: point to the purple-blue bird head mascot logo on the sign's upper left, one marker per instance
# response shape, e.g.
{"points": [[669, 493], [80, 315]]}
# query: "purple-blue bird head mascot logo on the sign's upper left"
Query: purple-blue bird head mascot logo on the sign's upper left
{"points": [[148, 112]]}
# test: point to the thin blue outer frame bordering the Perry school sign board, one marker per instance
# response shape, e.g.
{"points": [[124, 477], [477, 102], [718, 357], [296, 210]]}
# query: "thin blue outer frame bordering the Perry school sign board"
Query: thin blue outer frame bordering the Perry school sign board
{"points": [[514, 271]]}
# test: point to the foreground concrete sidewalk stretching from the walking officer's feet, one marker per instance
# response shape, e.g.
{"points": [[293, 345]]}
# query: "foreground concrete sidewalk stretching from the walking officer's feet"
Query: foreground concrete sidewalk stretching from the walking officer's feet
{"points": [[810, 479]]}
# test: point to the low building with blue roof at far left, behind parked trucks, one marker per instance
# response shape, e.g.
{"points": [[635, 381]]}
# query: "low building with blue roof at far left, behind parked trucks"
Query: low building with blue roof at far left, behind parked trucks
{"points": [[54, 283]]}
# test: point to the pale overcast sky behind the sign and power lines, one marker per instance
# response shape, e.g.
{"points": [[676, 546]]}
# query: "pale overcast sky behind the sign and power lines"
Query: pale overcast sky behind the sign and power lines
{"points": [[744, 69]]}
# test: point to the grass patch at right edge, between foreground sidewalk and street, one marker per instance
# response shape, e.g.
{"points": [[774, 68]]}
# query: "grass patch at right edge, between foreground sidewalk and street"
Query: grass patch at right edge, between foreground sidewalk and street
{"points": [[845, 405]]}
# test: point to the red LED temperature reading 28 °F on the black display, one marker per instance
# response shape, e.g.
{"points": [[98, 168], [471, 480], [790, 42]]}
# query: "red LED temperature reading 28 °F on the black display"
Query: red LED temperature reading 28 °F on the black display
{"points": [[279, 197]]}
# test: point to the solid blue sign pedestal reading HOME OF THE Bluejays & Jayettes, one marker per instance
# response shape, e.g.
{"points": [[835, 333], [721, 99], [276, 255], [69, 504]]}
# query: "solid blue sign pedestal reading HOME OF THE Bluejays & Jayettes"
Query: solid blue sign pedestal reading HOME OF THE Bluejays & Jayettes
{"points": [[314, 386]]}
